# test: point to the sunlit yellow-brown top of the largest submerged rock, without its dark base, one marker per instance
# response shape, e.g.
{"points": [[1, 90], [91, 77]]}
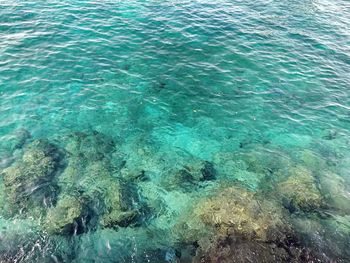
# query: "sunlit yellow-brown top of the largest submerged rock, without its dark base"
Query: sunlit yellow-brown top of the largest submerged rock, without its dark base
{"points": [[238, 211]]}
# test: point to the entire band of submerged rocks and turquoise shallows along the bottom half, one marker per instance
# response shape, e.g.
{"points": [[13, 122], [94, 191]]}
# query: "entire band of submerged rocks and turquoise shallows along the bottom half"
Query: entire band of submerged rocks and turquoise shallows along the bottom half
{"points": [[81, 198]]}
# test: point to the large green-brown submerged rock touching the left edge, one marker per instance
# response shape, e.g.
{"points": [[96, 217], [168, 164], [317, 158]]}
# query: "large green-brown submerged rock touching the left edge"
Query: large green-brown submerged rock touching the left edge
{"points": [[29, 182]]}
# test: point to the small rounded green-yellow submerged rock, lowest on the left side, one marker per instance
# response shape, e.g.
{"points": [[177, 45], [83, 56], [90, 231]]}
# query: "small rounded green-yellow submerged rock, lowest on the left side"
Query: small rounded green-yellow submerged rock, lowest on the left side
{"points": [[64, 216]]}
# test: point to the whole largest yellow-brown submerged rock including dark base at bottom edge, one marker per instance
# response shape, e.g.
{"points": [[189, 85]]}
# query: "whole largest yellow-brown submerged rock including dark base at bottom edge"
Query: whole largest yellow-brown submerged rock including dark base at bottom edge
{"points": [[238, 225]]}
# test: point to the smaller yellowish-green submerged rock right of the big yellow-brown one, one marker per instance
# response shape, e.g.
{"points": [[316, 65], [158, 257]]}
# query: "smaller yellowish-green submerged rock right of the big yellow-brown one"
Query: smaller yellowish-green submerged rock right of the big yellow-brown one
{"points": [[299, 191]]}
